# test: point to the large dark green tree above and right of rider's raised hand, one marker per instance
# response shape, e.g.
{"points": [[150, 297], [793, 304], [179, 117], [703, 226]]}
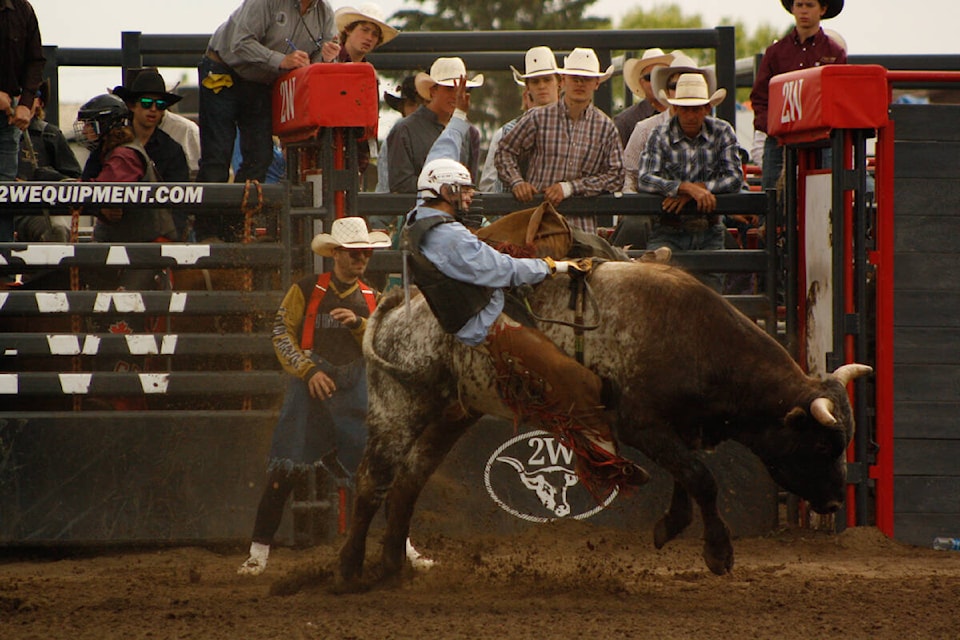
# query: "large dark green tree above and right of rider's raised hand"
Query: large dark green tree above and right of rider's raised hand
{"points": [[499, 99]]}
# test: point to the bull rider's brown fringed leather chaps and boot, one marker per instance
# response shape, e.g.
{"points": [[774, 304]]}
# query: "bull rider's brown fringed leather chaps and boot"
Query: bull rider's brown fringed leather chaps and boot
{"points": [[543, 385]]}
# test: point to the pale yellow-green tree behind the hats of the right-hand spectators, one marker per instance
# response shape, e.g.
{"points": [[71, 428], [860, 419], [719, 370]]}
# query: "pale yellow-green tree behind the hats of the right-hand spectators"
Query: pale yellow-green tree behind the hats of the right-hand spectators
{"points": [[671, 16]]}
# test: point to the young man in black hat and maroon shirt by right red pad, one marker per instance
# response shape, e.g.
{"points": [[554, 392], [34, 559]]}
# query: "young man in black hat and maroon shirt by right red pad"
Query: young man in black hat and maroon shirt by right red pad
{"points": [[804, 47]]}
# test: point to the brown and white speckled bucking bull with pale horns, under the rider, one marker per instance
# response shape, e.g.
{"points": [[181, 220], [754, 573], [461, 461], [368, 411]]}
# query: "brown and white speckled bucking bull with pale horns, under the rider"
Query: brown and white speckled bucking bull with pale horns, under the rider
{"points": [[691, 370]]}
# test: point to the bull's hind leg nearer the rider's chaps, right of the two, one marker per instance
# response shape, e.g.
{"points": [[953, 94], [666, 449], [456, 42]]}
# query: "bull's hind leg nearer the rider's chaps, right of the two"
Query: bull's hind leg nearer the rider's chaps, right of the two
{"points": [[423, 458]]}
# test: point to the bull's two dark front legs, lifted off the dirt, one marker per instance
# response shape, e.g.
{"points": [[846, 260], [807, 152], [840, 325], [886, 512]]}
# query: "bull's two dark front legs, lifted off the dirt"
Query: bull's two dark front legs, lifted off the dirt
{"points": [[692, 478]]}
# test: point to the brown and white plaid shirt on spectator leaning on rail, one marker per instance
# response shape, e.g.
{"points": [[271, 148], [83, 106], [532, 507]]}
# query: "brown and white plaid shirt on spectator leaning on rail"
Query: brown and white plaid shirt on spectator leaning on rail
{"points": [[584, 152]]}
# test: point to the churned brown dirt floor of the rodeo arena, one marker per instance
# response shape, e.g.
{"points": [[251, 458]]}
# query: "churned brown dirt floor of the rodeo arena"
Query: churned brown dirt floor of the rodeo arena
{"points": [[562, 580]]}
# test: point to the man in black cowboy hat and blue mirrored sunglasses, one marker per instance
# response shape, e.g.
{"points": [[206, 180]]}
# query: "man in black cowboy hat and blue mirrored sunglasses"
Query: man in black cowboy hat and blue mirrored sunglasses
{"points": [[148, 100]]}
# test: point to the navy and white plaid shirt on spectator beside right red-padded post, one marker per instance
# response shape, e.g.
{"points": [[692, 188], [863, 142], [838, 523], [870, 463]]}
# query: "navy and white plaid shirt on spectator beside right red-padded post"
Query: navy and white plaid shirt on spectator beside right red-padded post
{"points": [[712, 158]]}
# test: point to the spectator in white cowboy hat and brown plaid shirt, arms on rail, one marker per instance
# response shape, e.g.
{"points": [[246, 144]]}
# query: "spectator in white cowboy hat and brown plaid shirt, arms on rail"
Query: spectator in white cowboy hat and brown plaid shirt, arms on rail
{"points": [[570, 147]]}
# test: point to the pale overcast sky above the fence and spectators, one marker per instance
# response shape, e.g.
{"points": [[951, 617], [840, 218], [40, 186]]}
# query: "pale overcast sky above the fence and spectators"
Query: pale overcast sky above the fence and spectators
{"points": [[869, 26]]}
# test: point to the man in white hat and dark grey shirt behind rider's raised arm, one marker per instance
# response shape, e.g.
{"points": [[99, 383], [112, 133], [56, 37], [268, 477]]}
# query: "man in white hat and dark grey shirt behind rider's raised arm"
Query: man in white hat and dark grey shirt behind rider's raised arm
{"points": [[410, 140]]}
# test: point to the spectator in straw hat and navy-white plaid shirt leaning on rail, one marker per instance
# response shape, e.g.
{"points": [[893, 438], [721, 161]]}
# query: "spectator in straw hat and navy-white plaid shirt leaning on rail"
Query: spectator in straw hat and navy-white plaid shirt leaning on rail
{"points": [[690, 159]]}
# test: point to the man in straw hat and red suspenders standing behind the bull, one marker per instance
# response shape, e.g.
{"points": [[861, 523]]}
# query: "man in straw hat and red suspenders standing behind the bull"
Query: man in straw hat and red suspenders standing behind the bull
{"points": [[317, 335]]}
